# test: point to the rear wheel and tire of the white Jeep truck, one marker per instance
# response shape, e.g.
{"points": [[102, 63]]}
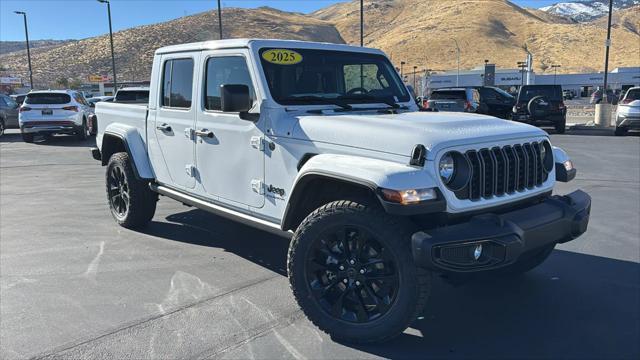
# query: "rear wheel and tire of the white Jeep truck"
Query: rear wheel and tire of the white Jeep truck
{"points": [[131, 201]]}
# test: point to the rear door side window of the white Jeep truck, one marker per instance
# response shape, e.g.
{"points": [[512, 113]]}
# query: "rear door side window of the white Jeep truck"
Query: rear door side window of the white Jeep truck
{"points": [[177, 83]]}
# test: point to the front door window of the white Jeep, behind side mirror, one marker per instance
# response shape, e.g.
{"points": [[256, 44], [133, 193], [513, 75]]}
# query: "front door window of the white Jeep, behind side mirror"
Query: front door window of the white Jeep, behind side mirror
{"points": [[225, 70]]}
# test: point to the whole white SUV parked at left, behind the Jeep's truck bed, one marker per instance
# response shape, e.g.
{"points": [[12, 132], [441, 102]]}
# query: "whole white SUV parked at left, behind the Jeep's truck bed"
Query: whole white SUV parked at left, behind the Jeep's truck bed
{"points": [[49, 112]]}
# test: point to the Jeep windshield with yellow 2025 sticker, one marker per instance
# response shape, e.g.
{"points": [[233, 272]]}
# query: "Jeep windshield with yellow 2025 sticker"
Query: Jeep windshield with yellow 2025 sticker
{"points": [[309, 76]]}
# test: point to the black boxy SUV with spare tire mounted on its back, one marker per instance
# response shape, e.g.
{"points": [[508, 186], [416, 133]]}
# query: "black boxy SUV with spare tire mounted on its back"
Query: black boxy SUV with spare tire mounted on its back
{"points": [[541, 105]]}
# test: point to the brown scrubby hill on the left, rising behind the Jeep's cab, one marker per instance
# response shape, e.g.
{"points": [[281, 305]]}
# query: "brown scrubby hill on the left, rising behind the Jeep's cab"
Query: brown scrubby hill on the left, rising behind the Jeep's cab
{"points": [[134, 47]]}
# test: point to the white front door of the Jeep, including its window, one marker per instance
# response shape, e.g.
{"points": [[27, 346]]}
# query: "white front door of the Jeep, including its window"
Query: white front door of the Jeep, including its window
{"points": [[229, 153]]}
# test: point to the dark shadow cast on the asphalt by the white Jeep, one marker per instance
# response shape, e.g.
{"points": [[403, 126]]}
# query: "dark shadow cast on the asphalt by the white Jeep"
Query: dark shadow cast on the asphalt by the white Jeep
{"points": [[572, 306]]}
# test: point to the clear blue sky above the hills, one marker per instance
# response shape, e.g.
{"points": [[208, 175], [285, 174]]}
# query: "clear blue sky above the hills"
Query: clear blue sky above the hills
{"points": [[77, 19]]}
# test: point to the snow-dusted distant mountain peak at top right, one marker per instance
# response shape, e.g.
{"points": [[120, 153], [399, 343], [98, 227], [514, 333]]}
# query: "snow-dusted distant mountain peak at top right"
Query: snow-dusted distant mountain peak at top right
{"points": [[587, 10]]}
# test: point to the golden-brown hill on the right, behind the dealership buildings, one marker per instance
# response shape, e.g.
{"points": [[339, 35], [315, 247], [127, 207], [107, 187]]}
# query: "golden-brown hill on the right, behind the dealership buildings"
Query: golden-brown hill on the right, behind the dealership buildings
{"points": [[421, 33]]}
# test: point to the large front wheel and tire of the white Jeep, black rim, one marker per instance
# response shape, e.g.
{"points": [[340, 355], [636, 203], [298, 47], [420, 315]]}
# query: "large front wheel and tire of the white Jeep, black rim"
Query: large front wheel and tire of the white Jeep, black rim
{"points": [[384, 313]]}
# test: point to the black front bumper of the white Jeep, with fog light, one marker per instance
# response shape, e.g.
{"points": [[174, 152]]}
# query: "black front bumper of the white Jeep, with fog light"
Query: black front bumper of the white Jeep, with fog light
{"points": [[490, 241]]}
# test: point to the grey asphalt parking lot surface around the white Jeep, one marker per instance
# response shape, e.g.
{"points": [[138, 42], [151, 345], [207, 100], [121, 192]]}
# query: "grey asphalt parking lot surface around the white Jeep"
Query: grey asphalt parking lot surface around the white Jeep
{"points": [[192, 285]]}
